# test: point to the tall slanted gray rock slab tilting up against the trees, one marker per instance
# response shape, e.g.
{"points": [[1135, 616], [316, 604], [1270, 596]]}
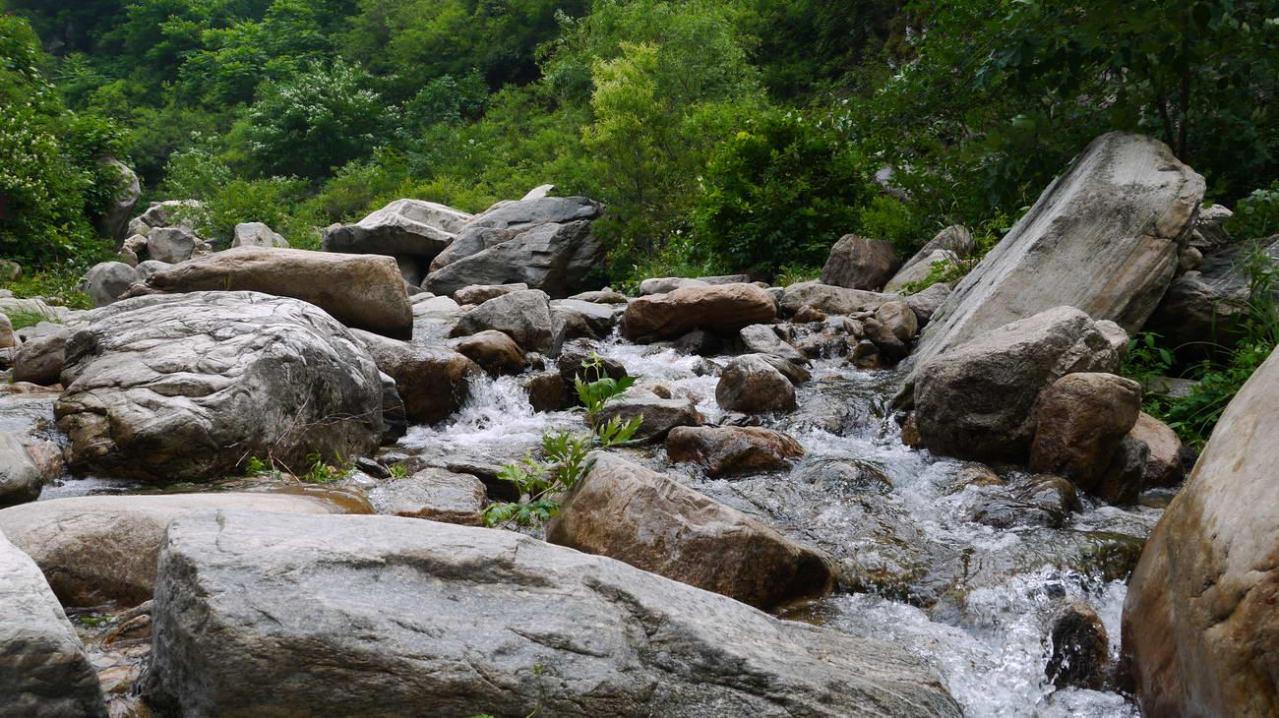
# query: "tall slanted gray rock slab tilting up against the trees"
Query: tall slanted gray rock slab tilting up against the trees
{"points": [[1103, 239]]}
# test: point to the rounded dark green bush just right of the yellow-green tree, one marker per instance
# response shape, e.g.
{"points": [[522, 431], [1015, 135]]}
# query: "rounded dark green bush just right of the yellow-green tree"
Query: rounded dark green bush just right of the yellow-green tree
{"points": [[780, 193]]}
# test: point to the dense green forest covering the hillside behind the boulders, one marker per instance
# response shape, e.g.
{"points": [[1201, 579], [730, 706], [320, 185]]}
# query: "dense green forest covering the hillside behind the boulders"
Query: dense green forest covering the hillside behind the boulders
{"points": [[723, 135]]}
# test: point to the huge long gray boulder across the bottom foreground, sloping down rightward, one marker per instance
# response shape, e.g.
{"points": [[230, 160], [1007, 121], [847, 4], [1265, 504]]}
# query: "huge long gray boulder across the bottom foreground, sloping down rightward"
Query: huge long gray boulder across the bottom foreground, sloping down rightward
{"points": [[384, 616]]}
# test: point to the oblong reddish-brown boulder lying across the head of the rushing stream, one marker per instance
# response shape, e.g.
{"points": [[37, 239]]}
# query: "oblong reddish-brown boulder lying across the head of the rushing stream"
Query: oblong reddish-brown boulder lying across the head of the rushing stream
{"points": [[722, 309]]}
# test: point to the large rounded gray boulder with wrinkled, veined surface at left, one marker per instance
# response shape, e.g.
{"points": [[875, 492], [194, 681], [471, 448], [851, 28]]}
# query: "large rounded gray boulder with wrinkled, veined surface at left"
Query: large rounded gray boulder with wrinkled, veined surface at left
{"points": [[189, 387]]}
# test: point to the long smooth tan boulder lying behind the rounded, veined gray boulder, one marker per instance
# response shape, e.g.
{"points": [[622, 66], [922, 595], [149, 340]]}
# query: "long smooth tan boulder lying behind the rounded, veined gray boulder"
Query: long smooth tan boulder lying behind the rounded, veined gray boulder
{"points": [[360, 291]]}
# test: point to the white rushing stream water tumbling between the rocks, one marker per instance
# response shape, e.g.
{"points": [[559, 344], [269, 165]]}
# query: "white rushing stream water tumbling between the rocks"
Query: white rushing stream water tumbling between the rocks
{"points": [[984, 632]]}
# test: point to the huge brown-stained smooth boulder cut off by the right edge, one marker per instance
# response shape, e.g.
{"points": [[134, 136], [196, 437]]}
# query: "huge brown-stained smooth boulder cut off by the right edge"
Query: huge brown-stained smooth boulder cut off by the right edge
{"points": [[1200, 624]]}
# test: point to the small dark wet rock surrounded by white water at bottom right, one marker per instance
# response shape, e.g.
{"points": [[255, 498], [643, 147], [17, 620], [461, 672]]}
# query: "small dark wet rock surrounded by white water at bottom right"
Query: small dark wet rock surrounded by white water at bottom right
{"points": [[1081, 650]]}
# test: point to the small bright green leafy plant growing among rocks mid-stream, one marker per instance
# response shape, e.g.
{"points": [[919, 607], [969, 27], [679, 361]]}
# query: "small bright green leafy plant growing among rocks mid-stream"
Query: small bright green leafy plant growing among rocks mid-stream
{"points": [[563, 463]]}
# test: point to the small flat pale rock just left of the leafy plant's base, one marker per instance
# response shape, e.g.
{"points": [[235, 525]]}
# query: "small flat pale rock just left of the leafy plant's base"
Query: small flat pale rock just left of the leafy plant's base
{"points": [[435, 495]]}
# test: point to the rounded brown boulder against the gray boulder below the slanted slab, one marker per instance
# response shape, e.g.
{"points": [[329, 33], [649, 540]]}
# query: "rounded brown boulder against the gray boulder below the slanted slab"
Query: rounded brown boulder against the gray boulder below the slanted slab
{"points": [[1080, 422]]}
